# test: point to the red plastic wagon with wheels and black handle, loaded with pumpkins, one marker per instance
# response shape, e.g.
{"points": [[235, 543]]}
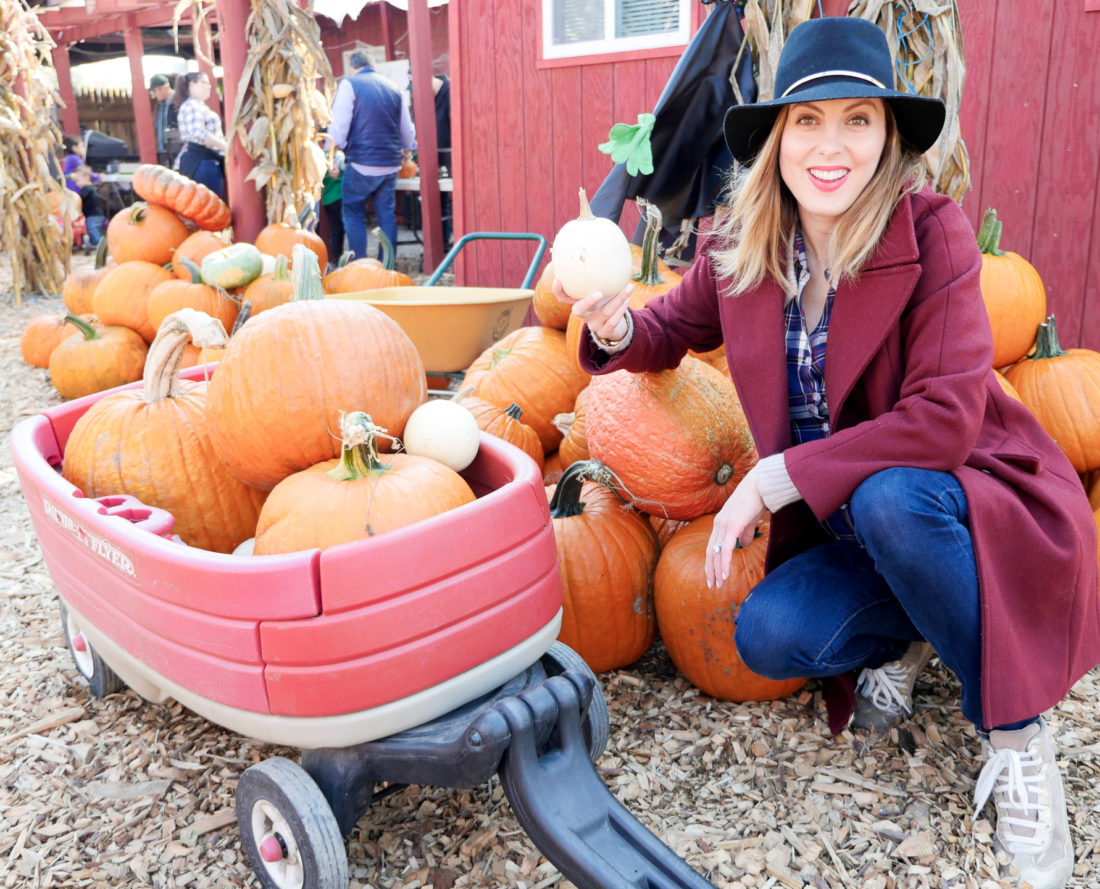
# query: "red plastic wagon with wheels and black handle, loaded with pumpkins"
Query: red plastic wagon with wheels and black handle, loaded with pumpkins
{"points": [[437, 666]]}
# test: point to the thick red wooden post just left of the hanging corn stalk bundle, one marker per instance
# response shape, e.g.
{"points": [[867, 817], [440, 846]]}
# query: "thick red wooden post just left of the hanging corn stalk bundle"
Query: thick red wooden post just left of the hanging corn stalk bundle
{"points": [[246, 202]]}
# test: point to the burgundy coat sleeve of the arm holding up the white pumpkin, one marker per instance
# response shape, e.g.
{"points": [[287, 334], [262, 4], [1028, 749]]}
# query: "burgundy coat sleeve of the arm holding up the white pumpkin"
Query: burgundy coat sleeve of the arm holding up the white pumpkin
{"points": [[686, 317]]}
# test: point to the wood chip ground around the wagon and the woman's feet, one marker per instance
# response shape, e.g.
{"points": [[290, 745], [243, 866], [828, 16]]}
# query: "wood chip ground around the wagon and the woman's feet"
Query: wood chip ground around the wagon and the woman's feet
{"points": [[125, 794]]}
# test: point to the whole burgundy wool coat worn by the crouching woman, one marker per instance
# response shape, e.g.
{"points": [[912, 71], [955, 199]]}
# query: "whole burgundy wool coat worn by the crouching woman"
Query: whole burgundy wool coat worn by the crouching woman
{"points": [[909, 382]]}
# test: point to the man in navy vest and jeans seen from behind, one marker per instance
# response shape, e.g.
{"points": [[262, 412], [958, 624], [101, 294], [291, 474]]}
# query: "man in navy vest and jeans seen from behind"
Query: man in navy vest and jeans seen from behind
{"points": [[371, 124]]}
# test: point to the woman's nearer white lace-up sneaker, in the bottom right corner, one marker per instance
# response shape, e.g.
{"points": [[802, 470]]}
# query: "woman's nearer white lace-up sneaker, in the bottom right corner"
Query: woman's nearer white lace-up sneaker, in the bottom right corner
{"points": [[1032, 826]]}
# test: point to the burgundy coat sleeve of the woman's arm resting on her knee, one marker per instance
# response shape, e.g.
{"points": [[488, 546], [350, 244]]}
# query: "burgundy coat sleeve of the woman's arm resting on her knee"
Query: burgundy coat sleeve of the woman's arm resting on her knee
{"points": [[940, 401]]}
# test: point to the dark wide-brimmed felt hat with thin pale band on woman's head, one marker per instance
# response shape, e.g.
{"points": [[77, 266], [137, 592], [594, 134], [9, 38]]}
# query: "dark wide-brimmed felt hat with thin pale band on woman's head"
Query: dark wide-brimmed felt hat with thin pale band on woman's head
{"points": [[834, 58]]}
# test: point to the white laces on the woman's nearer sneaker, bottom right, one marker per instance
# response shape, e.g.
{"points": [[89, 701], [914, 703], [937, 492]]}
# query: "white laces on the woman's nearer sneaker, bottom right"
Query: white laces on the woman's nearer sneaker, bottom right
{"points": [[1016, 780]]}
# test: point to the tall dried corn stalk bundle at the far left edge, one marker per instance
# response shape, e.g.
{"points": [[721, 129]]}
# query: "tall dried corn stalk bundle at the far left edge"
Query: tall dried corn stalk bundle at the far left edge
{"points": [[39, 248]]}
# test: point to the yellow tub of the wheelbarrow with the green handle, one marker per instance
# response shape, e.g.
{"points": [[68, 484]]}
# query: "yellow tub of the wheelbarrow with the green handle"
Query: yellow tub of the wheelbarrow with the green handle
{"points": [[450, 326]]}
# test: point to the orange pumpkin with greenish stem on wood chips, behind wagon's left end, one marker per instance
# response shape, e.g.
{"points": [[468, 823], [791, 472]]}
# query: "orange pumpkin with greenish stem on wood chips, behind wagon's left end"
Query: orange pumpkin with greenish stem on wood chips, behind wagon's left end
{"points": [[96, 359]]}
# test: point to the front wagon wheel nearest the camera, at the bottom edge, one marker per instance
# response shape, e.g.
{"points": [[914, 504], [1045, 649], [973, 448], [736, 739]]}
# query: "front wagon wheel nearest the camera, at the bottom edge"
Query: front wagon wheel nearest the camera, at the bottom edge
{"points": [[289, 830]]}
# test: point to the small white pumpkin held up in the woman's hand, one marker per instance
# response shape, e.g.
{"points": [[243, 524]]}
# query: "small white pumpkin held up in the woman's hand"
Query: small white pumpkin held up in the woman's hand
{"points": [[591, 255]]}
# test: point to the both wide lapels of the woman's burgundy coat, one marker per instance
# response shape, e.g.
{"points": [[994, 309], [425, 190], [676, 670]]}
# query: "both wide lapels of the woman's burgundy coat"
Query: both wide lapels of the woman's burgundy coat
{"points": [[864, 313]]}
